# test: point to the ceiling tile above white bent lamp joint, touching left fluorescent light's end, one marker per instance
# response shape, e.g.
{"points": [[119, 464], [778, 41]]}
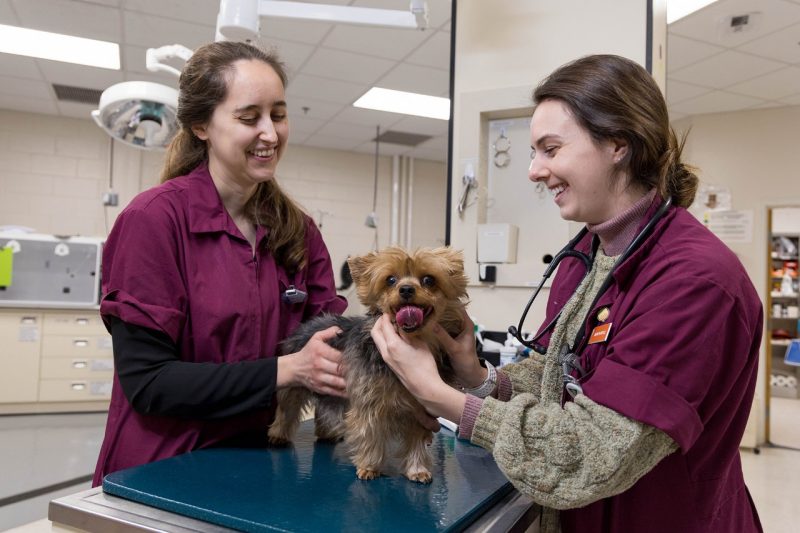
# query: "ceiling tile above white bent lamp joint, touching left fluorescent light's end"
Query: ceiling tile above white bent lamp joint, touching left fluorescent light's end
{"points": [[153, 31]]}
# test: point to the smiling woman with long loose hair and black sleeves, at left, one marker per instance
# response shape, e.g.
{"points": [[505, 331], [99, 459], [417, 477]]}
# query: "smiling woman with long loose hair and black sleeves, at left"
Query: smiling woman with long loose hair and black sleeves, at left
{"points": [[196, 274]]}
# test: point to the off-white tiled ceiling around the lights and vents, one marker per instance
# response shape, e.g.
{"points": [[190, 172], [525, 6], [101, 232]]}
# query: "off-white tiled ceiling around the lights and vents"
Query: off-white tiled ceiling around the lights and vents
{"points": [[709, 69]]}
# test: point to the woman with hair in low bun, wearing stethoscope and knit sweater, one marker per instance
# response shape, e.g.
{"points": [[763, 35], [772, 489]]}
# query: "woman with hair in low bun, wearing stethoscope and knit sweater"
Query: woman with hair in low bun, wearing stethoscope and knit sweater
{"points": [[629, 413]]}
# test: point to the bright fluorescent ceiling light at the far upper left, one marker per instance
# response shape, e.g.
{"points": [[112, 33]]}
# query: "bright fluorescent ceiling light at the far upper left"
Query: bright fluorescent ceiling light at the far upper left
{"points": [[58, 47]]}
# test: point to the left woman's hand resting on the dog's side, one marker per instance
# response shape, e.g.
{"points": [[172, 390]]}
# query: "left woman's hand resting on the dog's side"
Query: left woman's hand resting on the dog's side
{"points": [[316, 366]]}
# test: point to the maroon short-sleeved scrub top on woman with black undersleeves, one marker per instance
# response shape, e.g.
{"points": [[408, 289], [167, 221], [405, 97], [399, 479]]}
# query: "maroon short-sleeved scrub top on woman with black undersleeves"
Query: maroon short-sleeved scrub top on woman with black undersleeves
{"points": [[176, 262]]}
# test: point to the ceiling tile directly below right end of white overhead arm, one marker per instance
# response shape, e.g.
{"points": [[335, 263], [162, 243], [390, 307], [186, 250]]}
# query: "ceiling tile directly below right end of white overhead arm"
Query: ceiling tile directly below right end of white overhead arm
{"points": [[374, 41]]}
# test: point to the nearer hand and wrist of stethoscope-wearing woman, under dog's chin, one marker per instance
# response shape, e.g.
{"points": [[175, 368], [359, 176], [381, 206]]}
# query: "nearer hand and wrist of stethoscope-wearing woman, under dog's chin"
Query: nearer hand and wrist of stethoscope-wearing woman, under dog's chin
{"points": [[415, 366]]}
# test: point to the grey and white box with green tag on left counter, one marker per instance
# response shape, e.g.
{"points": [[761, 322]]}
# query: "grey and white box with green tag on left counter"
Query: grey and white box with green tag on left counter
{"points": [[51, 271]]}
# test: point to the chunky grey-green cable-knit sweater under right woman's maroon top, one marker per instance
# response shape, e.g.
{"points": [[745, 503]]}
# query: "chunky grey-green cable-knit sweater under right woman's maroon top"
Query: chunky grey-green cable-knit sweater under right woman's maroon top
{"points": [[566, 457]]}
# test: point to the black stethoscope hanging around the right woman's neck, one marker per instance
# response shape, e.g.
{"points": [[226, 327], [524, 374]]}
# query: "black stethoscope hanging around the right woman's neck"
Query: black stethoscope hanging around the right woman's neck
{"points": [[570, 354]]}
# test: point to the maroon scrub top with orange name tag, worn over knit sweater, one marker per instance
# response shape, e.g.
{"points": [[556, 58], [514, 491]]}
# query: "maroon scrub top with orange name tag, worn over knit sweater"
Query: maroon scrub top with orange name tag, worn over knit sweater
{"points": [[682, 356]]}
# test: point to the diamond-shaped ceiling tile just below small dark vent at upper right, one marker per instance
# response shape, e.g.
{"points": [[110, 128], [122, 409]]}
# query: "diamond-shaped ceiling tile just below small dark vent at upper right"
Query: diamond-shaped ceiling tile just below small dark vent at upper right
{"points": [[725, 69]]}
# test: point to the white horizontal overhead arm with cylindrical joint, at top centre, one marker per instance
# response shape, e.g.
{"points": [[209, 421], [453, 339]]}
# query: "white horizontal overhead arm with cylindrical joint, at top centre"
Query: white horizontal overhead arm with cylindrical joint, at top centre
{"points": [[239, 19]]}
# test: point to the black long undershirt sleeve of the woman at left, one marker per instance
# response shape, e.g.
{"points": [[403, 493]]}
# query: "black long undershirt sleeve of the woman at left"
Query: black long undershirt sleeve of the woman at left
{"points": [[156, 382]]}
